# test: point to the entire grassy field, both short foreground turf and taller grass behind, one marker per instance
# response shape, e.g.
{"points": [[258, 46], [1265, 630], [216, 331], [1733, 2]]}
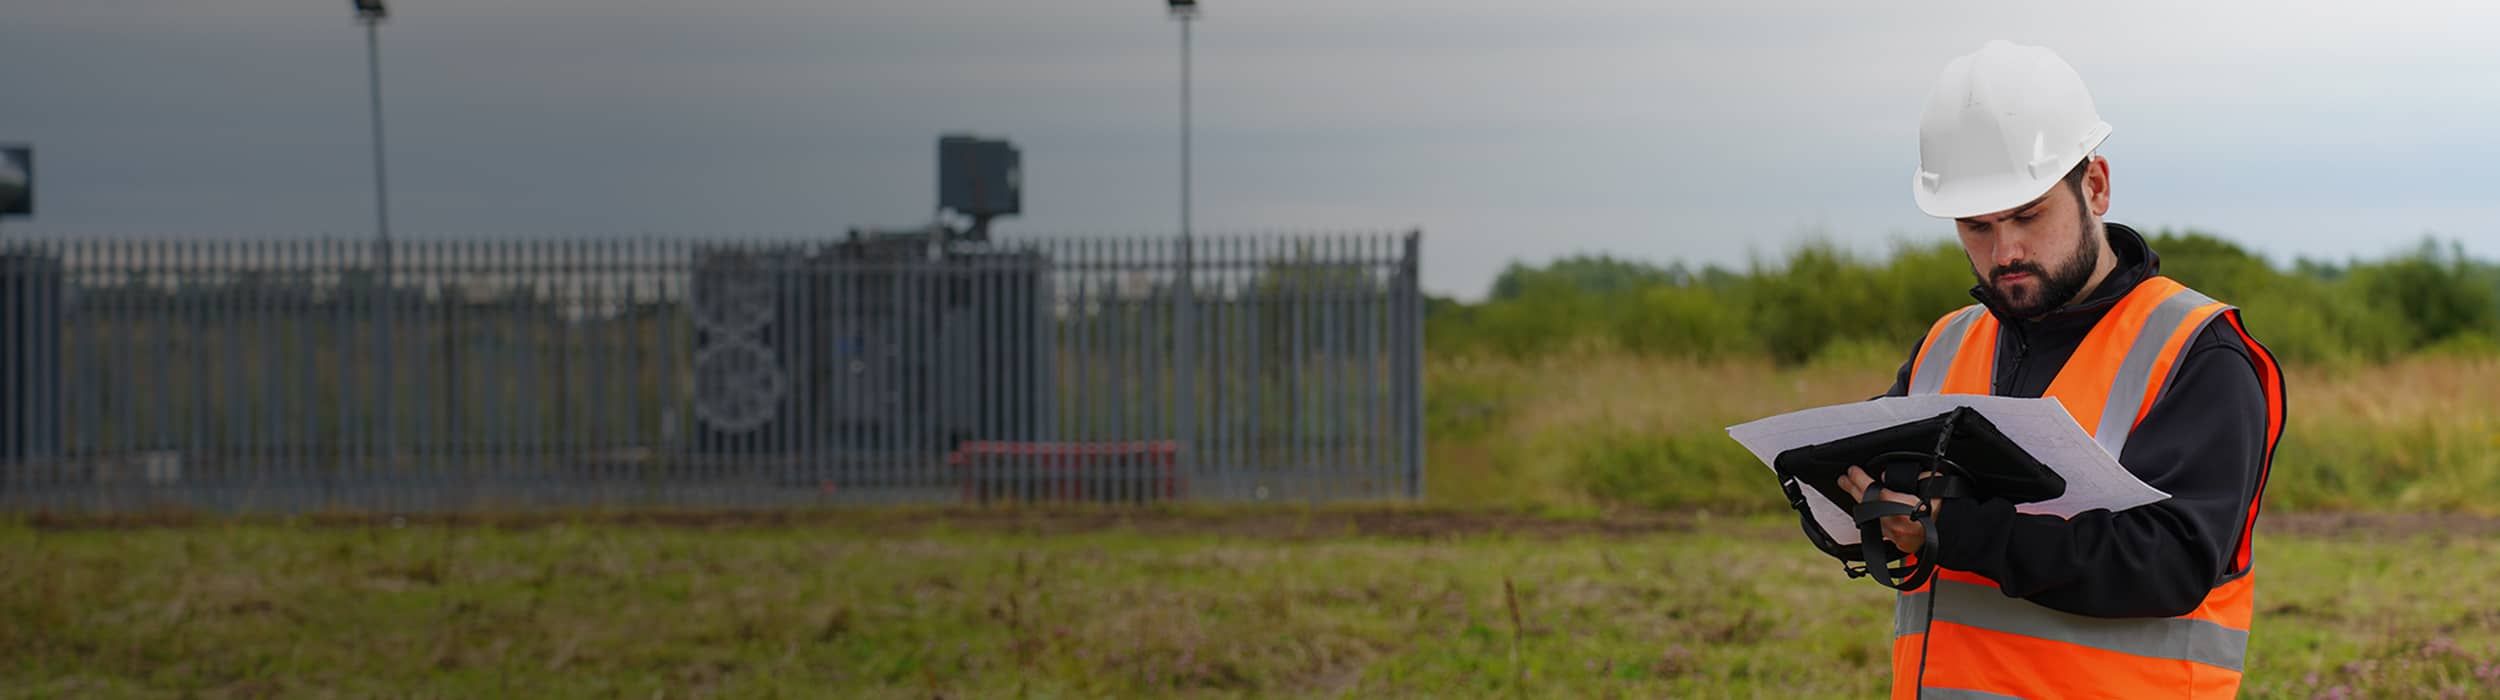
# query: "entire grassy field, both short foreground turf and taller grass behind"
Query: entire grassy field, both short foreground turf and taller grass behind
{"points": [[1566, 551]]}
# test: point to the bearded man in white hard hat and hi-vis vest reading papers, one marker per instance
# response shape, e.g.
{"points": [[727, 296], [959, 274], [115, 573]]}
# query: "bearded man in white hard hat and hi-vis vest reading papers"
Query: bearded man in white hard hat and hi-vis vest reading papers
{"points": [[2144, 604]]}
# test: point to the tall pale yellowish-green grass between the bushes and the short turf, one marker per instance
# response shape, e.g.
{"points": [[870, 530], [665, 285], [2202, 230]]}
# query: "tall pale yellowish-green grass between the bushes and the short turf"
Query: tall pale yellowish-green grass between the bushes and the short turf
{"points": [[1609, 429]]}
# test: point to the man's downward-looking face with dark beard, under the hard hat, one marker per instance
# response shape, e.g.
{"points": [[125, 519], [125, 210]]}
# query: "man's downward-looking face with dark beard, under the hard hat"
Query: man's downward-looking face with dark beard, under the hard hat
{"points": [[2039, 256]]}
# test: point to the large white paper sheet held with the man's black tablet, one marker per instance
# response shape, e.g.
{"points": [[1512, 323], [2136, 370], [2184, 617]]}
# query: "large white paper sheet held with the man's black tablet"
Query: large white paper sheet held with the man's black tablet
{"points": [[2041, 426]]}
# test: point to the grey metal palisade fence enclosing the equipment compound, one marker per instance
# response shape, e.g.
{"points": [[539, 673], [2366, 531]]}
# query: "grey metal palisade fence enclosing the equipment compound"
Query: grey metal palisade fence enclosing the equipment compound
{"points": [[284, 376]]}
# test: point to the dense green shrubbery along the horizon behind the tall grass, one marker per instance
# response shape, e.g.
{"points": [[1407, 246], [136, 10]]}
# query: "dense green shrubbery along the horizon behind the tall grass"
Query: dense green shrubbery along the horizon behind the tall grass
{"points": [[1824, 301]]}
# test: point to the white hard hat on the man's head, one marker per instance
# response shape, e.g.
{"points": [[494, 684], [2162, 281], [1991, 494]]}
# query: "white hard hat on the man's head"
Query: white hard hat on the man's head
{"points": [[2001, 129]]}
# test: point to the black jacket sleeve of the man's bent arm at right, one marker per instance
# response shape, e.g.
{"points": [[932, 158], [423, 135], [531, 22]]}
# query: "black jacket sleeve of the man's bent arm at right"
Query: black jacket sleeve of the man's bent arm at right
{"points": [[2204, 444]]}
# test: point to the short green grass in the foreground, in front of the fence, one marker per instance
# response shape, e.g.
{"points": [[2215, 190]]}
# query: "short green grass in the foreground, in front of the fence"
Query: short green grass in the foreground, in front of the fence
{"points": [[1091, 604]]}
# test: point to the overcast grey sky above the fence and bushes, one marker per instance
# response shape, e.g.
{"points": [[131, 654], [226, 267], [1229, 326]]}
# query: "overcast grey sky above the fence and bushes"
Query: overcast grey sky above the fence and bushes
{"points": [[1506, 131]]}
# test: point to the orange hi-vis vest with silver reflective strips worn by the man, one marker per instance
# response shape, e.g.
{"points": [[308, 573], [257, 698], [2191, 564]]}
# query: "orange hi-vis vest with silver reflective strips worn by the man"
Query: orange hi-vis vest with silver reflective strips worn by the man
{"points": [[1989, 646]]}
